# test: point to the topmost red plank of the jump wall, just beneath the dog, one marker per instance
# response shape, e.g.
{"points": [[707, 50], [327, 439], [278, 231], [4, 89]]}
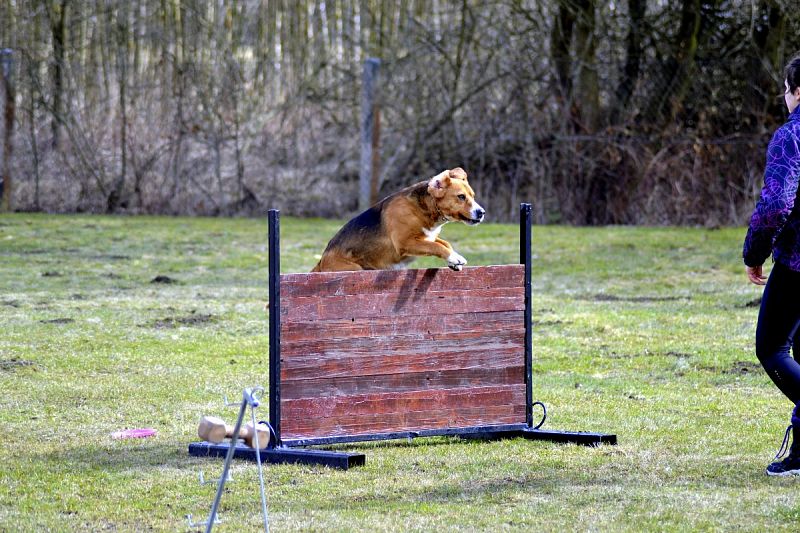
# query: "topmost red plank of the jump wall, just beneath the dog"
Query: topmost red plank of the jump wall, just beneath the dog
{"points": [[405, 281]]}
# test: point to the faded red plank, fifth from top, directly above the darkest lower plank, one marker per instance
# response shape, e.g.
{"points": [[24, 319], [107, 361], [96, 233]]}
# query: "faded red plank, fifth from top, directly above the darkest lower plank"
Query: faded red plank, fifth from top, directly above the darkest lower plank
{"points": [[380, 364]]}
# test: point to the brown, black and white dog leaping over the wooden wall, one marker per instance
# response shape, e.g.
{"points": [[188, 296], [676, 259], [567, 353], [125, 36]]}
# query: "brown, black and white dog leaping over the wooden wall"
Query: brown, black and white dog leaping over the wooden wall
{"points": [[405, 225]]}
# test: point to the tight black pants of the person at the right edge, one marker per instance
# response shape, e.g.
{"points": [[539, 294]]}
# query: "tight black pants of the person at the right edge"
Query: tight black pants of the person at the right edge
{"points": [[778, 333]]}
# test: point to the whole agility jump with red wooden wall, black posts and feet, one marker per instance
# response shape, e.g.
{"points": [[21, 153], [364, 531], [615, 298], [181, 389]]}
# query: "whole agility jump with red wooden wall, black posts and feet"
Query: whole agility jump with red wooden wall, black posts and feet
{"points": [[396, 354]]}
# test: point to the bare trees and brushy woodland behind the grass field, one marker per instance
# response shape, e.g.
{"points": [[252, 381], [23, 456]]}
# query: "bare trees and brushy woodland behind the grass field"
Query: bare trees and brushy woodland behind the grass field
{"points": [[629, 112]]}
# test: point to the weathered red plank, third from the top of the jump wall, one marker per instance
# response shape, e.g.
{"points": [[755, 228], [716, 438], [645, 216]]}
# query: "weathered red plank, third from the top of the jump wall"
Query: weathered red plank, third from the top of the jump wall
{"points": [[409, 325]]}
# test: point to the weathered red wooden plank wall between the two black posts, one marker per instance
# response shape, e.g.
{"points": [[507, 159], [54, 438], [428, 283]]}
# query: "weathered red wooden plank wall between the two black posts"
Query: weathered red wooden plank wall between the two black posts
{"points": [[388, 351]]}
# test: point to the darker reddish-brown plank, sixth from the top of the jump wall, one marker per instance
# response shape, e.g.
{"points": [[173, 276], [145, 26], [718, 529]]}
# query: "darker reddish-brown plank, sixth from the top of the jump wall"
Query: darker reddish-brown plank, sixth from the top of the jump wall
{"points": [[410, 381]]}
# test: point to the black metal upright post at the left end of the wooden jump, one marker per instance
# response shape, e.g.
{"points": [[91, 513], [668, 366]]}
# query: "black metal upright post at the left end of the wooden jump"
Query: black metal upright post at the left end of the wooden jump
{"points": [[275, 324]]}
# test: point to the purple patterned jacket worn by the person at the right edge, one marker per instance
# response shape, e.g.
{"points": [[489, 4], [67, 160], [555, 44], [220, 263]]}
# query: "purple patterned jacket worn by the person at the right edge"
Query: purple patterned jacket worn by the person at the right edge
{"points": [[775, 226]]}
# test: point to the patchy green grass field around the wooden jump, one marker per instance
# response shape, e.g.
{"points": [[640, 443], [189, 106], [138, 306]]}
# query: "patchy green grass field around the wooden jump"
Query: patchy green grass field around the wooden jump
{"points": [[643, 332]]}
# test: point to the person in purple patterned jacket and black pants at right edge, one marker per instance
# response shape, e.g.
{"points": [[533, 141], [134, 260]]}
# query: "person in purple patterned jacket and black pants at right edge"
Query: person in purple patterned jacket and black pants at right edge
{"points": [[775, 229]]}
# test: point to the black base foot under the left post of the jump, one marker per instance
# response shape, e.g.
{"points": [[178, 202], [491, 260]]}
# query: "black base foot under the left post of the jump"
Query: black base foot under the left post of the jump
{"points": [[341, 460]]}
